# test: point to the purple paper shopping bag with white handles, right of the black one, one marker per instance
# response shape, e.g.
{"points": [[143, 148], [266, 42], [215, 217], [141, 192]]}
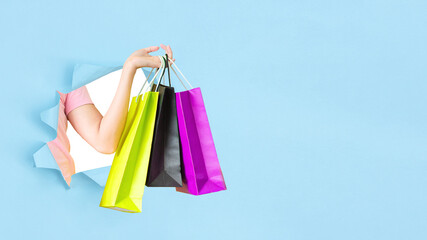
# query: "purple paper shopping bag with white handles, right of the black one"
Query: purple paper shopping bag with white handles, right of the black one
{"points": [[201, 170]]}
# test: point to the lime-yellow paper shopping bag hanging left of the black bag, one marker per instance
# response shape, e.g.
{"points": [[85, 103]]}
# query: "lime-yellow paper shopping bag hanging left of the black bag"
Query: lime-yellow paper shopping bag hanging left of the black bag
{"points": [[126, 180]]}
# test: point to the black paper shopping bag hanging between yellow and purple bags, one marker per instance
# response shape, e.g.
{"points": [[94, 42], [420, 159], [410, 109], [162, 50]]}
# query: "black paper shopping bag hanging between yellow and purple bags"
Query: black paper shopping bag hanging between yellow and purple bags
{"points": [[164, 169]]}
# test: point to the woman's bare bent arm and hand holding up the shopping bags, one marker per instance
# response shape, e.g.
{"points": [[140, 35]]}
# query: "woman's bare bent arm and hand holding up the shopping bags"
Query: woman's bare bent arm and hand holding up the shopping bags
{"points": [[103, 132]]}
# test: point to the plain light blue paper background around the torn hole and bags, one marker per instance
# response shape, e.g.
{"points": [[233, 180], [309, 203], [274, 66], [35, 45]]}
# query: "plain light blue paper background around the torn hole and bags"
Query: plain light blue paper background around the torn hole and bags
{"points": [[318, 111]]}
